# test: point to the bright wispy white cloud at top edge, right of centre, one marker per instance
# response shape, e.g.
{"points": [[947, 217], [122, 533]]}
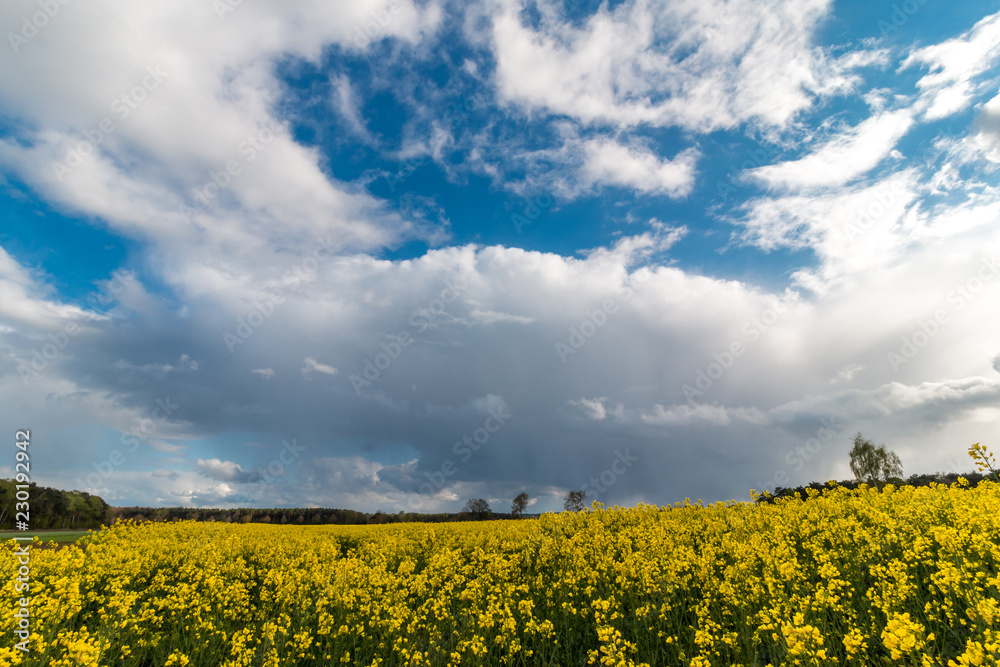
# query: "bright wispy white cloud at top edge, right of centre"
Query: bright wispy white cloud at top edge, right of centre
{"points": [[699, 65]]}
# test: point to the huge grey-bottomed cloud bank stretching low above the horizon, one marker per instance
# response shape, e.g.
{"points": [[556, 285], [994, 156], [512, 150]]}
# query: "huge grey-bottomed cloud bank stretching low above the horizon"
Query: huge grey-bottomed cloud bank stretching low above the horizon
{"points": [[665, 329]]}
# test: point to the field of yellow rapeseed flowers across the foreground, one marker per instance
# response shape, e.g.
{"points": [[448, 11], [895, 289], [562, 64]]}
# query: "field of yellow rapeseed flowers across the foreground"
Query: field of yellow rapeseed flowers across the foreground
{"points": [[904, 577]]}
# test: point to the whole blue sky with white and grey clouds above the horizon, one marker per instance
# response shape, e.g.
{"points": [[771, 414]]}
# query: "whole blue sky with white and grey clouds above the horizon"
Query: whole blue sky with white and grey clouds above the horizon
{"points": [[394, 255]]}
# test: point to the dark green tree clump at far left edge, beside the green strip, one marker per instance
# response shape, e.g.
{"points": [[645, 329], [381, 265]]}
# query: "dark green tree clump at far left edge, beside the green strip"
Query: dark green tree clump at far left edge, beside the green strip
{"points": [[50, 508]]}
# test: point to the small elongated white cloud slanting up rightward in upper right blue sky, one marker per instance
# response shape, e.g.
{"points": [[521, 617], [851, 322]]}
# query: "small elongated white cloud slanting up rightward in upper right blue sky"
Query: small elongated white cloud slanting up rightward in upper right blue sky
{"points": [[844, 158]]}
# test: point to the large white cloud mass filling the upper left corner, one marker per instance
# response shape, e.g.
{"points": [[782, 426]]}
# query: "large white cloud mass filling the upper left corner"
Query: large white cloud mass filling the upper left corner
{"points": [[203, 98]]}
